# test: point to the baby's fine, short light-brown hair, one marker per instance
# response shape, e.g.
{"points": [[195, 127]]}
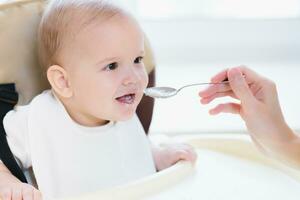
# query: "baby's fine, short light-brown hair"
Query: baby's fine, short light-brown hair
{"points": [[63, 19]]}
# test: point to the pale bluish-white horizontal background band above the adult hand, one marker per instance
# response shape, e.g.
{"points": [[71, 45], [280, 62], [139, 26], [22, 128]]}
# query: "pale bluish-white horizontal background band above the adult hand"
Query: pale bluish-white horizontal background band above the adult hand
{"points": [[225, 40]]}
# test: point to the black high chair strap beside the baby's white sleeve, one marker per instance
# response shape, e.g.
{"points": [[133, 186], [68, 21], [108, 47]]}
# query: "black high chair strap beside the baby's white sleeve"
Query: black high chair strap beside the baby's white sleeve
{"points": [[8, 99]]}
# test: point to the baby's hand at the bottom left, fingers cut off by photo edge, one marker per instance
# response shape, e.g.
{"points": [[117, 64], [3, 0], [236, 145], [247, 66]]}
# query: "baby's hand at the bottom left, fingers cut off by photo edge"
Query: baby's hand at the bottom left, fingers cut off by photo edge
{"points": [[19, 191]]}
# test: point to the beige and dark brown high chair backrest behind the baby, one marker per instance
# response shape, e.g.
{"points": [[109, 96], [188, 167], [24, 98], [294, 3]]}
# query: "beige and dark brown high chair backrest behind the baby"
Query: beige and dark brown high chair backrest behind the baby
{"points": [[19, 20]]}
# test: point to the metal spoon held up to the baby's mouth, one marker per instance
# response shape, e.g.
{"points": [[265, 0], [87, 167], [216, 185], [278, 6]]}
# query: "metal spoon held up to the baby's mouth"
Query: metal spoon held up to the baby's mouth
{"points": [[166, 92]]}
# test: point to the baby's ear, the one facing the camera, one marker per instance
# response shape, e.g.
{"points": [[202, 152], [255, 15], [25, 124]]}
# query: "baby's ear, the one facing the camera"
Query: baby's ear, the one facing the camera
{"points": [[58, 79]]}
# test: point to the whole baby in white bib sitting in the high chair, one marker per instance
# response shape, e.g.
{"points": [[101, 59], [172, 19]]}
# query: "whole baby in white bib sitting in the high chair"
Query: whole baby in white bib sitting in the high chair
{"points": [[83, 134]]}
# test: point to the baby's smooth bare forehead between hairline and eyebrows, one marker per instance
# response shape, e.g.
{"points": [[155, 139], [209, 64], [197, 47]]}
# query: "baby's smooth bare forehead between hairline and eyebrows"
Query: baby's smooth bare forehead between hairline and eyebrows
{"points": [[107, 38]]}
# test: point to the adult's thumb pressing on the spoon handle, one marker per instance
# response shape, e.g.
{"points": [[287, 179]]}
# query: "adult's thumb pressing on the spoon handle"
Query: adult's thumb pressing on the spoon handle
{"points": [[239, 85]]}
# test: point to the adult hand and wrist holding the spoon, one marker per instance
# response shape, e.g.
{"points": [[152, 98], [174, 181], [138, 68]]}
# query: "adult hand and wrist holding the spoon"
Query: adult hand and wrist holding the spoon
{"points": [[259, 108]]}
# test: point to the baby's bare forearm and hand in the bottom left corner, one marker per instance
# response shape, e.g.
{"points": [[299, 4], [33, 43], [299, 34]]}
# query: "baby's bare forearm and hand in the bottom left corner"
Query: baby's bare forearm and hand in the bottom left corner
{"points": [[13, 189]]}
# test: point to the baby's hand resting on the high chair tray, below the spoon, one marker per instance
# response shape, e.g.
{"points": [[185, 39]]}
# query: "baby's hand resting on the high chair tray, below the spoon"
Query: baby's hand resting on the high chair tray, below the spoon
{"points": [[167, 155]]}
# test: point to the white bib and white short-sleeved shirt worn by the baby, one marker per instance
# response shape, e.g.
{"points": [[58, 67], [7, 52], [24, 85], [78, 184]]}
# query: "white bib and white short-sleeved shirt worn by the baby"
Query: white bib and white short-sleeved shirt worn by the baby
{"points": [[70, 159]]}
